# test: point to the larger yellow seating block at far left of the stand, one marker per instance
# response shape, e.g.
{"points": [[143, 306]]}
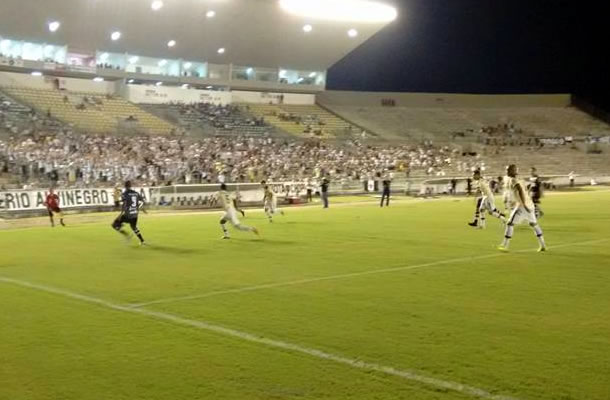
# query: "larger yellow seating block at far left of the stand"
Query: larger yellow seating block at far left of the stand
{"points": [[91, 112]]}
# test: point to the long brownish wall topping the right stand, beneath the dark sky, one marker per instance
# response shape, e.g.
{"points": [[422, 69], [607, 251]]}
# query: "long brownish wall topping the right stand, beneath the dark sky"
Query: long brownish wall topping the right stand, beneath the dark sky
{"points": [[441, 100]]}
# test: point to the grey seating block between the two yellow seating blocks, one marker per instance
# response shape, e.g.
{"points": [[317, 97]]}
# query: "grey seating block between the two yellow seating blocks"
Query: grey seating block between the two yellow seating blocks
{"points": [[211, 119]]}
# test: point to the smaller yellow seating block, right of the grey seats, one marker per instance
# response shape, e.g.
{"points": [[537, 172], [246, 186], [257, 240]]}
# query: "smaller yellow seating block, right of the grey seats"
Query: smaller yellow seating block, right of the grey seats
{"points": [[303, 120]]}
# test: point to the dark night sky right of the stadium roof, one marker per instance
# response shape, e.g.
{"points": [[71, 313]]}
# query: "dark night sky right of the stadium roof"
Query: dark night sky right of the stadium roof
{"points": [[483, 46]]}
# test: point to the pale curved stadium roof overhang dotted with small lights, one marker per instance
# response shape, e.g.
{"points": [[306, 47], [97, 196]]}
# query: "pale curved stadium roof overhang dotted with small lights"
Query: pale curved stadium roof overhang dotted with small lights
{"points": [[254, 32]]}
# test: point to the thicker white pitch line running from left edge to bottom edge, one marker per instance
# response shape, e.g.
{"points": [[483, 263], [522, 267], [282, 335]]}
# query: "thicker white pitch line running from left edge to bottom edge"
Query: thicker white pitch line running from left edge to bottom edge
{"points": [[249, 337]]}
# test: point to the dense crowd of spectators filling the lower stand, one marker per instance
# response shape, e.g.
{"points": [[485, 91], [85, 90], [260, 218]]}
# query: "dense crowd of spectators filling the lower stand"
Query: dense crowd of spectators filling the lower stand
{"points": [[71, 159]]}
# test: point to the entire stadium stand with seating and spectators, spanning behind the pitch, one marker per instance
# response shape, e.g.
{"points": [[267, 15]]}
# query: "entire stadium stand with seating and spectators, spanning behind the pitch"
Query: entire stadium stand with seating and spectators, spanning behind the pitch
{"points": [[238, 140]]}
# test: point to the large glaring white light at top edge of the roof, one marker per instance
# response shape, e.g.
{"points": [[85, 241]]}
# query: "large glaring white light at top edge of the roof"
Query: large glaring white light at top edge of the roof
{"points": [[341, 10]]}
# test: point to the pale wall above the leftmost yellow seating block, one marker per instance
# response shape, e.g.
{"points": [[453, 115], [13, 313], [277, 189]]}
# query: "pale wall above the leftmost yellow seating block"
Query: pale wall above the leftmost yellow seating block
{"points": [[52, 82]]}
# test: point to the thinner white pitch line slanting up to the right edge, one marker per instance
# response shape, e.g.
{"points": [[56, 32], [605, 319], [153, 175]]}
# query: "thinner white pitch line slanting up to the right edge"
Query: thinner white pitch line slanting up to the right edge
{"points": [[348, 275]]}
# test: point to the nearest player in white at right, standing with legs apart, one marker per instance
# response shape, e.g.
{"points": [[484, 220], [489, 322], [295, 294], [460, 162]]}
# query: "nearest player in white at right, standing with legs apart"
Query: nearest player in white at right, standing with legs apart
{"points": [[523, 210]]}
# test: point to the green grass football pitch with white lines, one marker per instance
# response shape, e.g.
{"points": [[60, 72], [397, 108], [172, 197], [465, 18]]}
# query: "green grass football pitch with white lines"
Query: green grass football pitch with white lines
{"points": [[354, 302]]}
